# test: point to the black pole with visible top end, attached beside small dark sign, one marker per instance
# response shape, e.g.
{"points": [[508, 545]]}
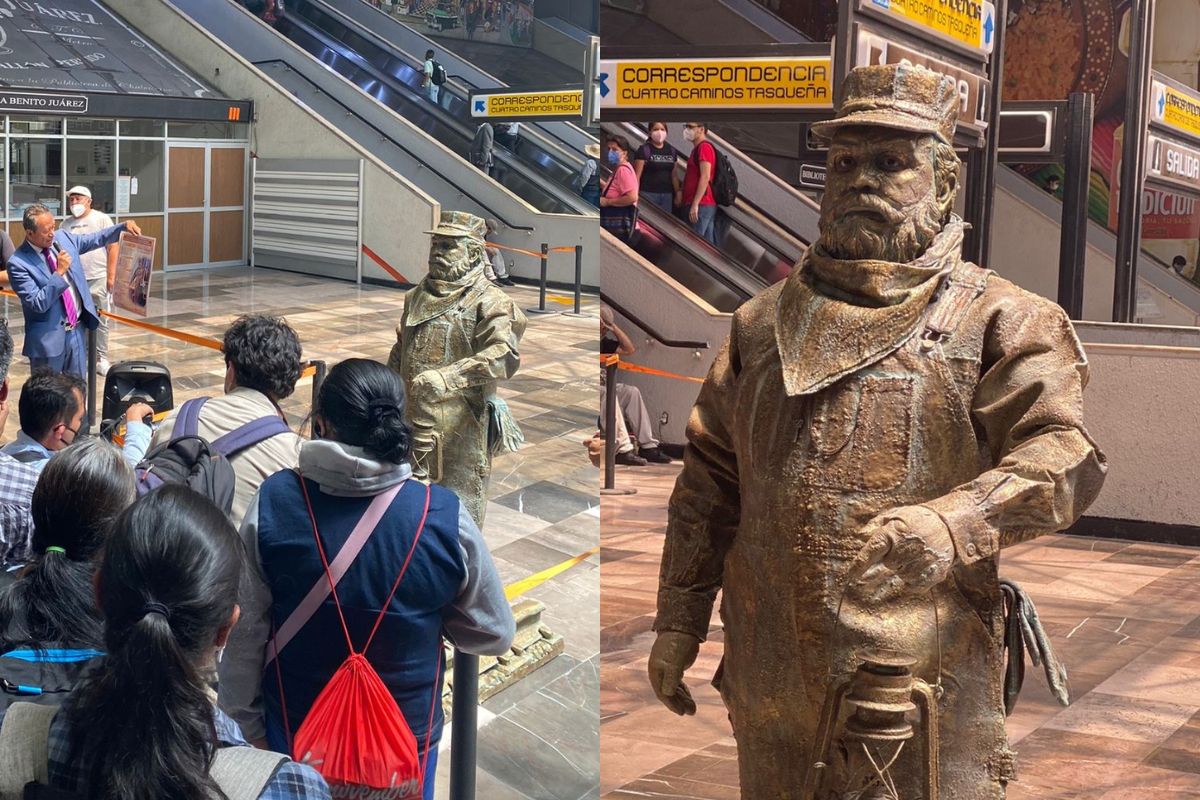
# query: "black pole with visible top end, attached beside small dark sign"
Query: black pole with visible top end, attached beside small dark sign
{"points": [[1073, 234]]}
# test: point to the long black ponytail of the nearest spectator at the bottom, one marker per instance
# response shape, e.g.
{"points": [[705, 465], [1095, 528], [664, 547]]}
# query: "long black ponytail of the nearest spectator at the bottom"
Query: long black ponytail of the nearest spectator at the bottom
{"points": [[167, 584]]}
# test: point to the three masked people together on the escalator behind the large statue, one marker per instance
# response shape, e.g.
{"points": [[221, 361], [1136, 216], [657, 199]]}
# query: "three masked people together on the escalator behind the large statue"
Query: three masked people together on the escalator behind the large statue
{"points": [[652, 172]]}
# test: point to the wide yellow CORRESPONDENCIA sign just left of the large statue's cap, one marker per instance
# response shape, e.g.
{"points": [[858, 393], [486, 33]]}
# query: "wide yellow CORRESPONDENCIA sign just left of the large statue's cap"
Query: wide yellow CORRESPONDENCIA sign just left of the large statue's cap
{"points": [[723, 85]]}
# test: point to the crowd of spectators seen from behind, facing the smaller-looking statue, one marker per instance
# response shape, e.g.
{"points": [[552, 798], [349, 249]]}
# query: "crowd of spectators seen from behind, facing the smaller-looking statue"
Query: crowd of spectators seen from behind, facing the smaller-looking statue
{"points": [[154, 645]]}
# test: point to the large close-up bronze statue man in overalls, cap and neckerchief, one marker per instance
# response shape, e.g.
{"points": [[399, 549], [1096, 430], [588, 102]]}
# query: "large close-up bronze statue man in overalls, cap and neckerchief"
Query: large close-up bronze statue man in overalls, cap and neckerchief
{"points": [[875, 430]]}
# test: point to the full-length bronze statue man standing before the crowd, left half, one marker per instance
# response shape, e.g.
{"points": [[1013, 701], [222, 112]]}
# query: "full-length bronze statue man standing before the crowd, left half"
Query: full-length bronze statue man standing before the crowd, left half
{"points": [[458, 338]]}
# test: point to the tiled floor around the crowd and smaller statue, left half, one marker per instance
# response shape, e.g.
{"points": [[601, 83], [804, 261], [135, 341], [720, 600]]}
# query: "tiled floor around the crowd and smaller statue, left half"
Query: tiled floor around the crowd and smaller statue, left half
{"points": [[538, 739]]}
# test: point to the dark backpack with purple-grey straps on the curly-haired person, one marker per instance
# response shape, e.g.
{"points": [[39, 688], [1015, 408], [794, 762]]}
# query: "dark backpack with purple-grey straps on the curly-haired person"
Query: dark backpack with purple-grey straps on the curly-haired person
{"points": [[190, 460]]}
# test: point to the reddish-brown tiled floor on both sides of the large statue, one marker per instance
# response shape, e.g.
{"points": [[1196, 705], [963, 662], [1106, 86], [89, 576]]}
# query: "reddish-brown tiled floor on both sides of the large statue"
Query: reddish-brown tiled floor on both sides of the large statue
{"points": [[1124, 617]]}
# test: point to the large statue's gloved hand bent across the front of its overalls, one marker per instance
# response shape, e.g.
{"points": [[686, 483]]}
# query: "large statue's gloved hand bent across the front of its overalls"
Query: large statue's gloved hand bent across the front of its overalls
{"points": [[909, 550]]}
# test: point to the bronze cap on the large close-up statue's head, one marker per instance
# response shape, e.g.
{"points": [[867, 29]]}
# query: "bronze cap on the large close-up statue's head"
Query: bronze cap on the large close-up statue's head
{"points": [[899, 97]]}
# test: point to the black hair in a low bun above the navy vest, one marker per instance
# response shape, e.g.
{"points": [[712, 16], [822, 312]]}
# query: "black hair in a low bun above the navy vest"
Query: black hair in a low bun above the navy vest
{"points": [[364, 404]]}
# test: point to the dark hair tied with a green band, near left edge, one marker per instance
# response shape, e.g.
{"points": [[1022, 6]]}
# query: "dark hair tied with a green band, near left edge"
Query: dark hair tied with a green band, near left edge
{"points": [[79, 496]]}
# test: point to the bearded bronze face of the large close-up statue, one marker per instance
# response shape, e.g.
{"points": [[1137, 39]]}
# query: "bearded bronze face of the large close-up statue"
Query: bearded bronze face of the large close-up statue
{"points": [[883, 200]]}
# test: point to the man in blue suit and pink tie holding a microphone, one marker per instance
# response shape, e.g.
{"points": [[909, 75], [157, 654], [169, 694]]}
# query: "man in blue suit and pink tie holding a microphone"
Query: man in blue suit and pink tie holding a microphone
{"points": [[47, 275]]}
